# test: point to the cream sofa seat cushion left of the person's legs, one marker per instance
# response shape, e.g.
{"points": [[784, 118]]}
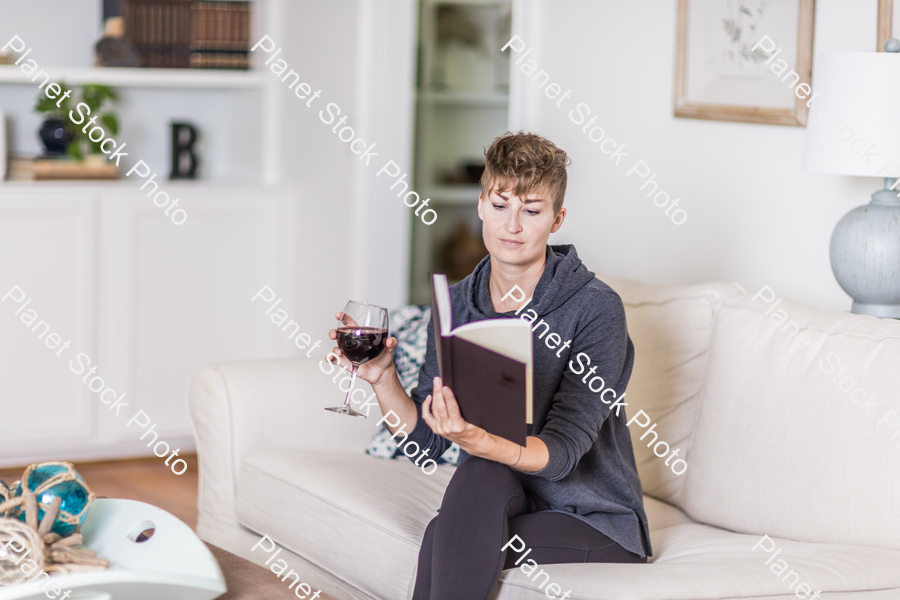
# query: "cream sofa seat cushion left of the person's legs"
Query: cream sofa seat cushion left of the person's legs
{"points": [[355, 516]]}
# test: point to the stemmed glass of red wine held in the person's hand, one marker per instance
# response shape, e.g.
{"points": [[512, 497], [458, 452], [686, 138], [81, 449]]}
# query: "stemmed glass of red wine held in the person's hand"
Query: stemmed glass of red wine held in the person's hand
{"points": [[361, 335]]}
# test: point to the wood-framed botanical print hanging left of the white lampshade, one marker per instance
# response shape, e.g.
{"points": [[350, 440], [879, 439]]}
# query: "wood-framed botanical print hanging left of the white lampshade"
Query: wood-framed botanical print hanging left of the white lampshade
{"points": [[744, 60]]}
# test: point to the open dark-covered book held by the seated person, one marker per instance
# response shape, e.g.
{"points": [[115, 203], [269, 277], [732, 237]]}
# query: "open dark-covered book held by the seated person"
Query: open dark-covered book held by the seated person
{"points": [[487, 364]]}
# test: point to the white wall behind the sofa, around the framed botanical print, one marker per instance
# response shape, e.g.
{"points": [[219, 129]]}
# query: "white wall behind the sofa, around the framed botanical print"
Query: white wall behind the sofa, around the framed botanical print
{"points": [[753, 217]]}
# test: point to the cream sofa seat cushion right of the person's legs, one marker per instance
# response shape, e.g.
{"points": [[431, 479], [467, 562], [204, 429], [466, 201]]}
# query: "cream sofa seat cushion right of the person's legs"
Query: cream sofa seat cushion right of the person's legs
{"points": [[700, 562]]}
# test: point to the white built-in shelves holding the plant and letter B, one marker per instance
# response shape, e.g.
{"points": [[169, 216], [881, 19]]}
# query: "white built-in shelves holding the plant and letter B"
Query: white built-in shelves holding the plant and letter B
{"points": [[231, 150]]}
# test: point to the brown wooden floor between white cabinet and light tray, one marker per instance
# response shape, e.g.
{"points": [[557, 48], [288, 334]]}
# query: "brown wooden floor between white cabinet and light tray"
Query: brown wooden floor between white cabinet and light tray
{"points": [[147, 479]]}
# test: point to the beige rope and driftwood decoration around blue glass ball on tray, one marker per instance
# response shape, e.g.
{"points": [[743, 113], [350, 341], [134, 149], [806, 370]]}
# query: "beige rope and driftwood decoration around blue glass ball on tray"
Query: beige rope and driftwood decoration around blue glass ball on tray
{"points": [[24, 543]]}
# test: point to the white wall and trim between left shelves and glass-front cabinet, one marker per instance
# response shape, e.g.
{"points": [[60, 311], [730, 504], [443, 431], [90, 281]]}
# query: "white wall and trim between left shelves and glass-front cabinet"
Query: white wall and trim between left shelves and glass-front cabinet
{"points": [[354, 234]]}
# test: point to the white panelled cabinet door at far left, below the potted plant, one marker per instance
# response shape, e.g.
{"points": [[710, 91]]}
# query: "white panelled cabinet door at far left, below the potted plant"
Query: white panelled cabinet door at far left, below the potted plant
{"points": [[47, 276]]}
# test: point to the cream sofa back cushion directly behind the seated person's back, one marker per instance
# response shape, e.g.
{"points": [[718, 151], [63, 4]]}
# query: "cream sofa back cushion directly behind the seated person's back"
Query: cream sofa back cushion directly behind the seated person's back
{"points": [[671, 327]]}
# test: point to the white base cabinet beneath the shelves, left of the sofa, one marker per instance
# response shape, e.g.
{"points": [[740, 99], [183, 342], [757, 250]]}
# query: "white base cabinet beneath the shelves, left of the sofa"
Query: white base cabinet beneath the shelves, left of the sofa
{"points": [[140, 300]]}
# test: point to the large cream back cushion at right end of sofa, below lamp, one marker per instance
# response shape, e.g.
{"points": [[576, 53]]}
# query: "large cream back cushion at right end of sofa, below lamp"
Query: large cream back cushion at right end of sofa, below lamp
{"points": [[788, 441]]}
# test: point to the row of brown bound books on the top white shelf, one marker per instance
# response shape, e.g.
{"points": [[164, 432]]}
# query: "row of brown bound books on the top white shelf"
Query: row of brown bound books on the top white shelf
{"points": [[190, 34]]}
